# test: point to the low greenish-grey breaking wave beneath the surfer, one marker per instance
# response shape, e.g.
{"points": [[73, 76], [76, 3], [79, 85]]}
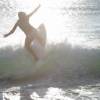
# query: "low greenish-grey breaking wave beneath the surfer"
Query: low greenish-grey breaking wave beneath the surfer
{"points": [[62, 62]]}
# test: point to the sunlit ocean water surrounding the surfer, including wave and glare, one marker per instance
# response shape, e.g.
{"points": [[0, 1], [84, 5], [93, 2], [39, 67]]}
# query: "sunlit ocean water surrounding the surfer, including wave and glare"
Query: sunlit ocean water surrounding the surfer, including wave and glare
{"points": [[71, 69]]}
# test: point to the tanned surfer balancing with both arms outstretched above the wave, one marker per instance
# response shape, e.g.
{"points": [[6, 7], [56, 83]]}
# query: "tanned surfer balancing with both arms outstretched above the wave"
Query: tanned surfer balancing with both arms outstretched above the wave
{"points": [[30, 32]]}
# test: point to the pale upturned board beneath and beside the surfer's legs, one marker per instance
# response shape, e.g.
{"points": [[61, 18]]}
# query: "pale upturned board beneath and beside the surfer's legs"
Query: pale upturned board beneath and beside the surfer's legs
{"points": [[39, 49]]}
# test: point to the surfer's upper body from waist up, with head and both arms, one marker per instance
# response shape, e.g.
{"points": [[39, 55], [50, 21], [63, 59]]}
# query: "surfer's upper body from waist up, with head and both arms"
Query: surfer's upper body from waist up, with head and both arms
{"points": [[23, 23]]}
